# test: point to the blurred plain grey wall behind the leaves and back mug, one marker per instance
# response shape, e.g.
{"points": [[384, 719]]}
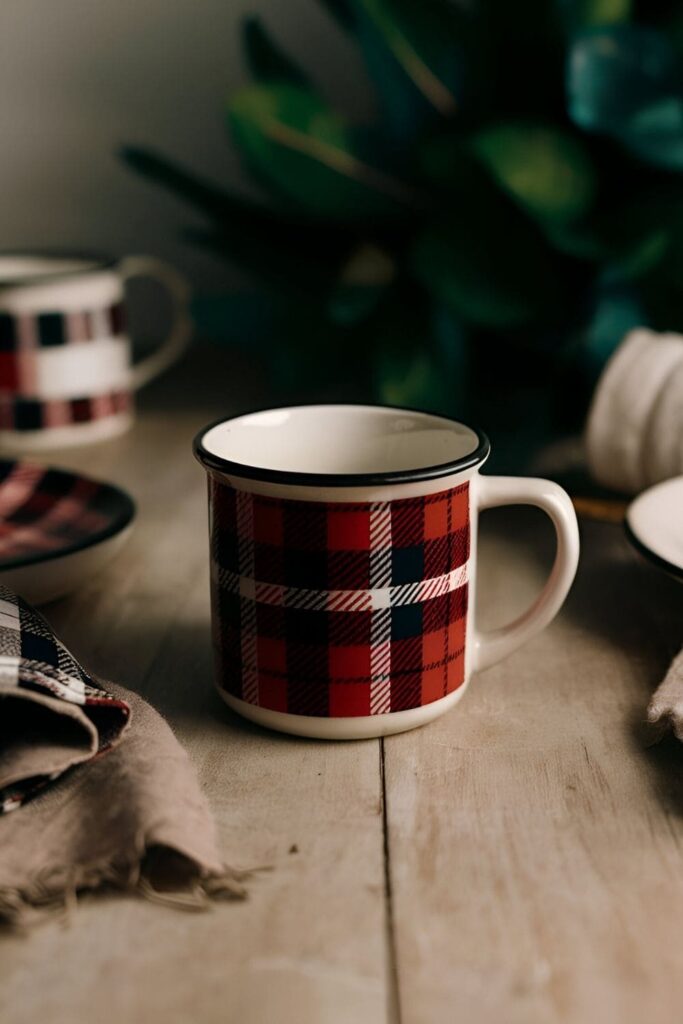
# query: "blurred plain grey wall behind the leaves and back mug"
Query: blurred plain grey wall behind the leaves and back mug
{"points": [[79, 78]]}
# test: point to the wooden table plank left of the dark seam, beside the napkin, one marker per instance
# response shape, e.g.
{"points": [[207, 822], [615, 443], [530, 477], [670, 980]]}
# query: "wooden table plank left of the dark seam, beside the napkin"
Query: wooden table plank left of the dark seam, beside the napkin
{"points": [[310, 945]]}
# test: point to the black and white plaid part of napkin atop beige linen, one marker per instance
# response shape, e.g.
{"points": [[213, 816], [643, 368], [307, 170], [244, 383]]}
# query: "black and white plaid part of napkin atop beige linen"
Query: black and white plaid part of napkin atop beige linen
{"points": [[33, 660]]}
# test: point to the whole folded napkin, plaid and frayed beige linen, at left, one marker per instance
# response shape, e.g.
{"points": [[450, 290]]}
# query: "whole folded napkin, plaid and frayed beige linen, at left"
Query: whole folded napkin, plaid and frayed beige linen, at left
{"points": [[95, 788]]}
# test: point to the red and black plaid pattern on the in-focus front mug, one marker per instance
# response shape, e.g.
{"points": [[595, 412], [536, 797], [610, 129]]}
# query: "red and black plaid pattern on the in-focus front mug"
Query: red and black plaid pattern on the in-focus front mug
{"points": [[339, 610]]}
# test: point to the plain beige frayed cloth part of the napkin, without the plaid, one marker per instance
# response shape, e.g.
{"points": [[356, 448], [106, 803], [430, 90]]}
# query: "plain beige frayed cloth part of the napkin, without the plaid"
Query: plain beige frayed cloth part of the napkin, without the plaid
{"points": [[134, 818]]}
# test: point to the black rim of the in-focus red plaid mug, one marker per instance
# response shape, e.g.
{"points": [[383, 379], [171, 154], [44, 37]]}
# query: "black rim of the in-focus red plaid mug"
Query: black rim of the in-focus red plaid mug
{"points": [[211, 461]]}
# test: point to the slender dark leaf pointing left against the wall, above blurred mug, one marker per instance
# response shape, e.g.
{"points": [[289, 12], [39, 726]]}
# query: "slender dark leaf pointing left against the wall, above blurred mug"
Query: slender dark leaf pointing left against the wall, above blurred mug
{"points": [[283, 250]]}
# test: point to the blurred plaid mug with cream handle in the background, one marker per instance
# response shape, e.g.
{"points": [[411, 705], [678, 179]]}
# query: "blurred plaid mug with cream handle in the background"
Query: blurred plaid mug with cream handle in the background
{"points": [[67, 375]]}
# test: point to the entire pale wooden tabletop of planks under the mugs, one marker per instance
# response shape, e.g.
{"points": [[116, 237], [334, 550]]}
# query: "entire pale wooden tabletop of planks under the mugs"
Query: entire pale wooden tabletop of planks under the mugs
{"points": [[519, 861]]}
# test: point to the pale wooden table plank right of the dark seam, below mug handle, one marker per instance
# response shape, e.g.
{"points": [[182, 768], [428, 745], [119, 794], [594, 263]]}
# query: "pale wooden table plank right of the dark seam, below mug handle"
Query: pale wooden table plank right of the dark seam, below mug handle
{"points": [[534, 839]]}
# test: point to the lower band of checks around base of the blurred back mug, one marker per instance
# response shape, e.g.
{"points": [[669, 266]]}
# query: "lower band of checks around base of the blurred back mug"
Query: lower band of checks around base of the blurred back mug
{"points": [[36, 414]]}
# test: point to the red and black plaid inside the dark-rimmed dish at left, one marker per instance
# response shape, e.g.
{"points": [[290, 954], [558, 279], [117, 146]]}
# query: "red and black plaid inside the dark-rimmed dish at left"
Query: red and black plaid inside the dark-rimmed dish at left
{"points": [[50, 511]]}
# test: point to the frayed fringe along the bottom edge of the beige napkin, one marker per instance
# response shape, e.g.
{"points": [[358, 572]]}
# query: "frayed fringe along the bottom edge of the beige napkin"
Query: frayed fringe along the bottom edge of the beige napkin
{"points": [[57, 891]]}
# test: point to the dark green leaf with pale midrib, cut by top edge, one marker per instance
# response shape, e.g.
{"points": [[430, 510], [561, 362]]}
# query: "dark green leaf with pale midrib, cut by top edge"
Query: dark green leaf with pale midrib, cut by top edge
{"points": [[413, 53]]}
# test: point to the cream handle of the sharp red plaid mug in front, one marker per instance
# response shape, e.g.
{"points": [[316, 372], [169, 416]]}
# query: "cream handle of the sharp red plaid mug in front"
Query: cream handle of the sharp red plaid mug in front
{"points": [[496, 645]]}
